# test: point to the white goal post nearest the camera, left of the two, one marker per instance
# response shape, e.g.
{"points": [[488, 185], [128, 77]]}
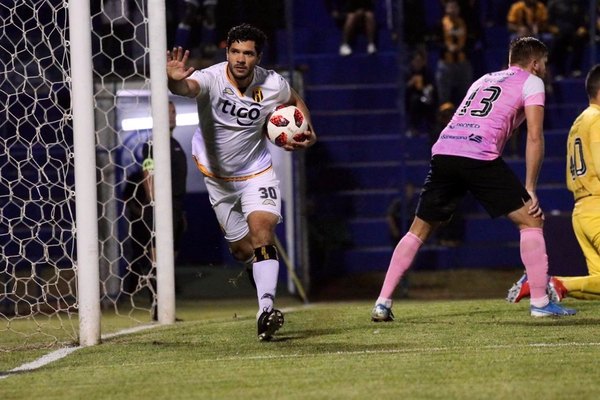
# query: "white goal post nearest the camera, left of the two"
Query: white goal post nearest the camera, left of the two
{"points": [[84, 145]]}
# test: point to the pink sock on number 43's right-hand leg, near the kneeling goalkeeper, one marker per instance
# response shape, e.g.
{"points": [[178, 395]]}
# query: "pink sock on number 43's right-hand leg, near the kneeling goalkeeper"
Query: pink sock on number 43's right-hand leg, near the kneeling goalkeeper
{"points": [[533, 255]]}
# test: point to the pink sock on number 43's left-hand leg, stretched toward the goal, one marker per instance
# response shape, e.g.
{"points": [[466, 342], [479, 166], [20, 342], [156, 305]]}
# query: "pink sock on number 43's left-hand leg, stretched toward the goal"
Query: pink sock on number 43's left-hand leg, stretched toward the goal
{"points": [[403, 256]]}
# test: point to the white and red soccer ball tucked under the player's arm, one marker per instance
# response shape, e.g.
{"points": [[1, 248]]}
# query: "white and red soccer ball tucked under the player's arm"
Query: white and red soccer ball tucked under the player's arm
{"points": [[286, 125]]}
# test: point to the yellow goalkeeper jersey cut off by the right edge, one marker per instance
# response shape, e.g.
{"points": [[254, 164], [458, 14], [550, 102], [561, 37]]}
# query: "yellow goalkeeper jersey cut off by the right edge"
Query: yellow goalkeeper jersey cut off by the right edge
{"points": [[583, 154]]}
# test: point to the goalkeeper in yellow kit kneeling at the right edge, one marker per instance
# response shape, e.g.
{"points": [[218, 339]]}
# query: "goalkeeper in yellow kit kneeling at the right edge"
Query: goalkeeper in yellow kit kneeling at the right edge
{"points": [[583, 180]]}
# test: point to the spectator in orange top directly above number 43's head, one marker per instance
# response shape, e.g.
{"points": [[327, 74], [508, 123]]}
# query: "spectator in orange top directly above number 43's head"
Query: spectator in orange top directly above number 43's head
{"points": [[527, 18]]}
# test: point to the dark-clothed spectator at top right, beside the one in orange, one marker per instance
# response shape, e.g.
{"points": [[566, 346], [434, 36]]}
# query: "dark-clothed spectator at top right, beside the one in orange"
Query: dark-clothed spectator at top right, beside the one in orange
{"points": [[568, 22]]}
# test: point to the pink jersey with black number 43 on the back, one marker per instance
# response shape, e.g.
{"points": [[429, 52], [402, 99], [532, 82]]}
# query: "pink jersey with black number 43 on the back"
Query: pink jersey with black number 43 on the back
{"points": [[493, 107]]}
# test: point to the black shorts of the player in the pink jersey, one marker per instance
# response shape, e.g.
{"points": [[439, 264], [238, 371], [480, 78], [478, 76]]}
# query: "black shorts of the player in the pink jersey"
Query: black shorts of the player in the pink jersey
{"points": [[492, 183]]}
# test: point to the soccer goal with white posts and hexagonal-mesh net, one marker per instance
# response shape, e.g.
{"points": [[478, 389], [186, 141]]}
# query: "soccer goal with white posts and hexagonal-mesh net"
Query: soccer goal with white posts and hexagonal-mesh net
{"points": [[66, 232]]}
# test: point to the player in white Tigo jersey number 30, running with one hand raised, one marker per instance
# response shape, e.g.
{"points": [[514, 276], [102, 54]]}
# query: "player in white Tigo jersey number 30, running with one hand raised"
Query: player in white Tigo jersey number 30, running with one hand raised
{"points": [[234, 99]]}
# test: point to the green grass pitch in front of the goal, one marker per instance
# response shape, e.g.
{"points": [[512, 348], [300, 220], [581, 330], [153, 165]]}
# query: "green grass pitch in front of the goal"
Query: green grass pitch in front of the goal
{"points": [[436, 349]]}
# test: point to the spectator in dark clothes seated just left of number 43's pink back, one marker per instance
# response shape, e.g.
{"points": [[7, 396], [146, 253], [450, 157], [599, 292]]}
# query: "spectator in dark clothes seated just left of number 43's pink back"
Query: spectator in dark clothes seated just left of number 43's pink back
{"points": [[420, 96]]}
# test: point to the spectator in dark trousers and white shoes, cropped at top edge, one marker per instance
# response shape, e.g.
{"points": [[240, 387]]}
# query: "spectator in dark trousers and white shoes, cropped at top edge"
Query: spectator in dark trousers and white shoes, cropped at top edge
{"points": [[359, 12]]}
